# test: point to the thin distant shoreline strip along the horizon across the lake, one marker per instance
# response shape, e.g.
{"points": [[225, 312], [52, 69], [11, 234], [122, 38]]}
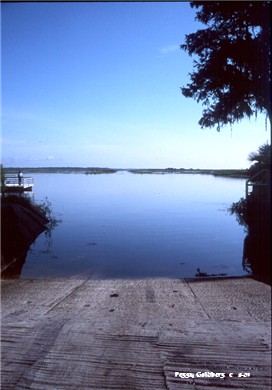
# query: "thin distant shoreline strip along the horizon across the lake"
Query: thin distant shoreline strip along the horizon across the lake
{"points": [[233, 173]]}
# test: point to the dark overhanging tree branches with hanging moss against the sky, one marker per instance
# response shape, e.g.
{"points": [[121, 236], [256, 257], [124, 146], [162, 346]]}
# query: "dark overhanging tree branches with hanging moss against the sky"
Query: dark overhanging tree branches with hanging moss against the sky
{"points": [[231, 74]]}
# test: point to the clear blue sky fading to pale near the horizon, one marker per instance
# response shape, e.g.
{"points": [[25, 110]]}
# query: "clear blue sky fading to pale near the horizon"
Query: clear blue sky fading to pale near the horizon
{"points": [[98, 84]]}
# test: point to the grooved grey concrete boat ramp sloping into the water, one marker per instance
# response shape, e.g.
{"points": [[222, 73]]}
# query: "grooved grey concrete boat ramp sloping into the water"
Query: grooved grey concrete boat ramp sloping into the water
{"points": [[136, 334]]}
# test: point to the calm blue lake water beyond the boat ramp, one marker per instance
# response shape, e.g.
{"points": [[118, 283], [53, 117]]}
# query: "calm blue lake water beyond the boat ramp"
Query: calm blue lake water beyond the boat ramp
{"points": [[126, 225]]}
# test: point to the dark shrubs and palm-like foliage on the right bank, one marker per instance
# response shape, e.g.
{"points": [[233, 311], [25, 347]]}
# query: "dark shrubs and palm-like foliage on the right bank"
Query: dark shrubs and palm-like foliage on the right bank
{"points": [[254, 213]]}
